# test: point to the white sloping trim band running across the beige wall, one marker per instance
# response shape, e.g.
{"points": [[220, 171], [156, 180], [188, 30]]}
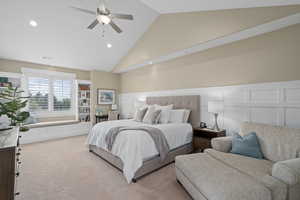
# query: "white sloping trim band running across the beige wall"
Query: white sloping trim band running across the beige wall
{"points": [[237, 36]]}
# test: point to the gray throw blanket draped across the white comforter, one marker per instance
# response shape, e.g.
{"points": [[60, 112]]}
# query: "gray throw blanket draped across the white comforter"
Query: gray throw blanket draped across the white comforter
{"points": [[158, 137]]}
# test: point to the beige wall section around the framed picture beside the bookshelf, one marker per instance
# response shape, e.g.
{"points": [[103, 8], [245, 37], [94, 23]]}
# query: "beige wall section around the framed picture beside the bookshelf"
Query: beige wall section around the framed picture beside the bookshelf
{"points": [[104, 80]]}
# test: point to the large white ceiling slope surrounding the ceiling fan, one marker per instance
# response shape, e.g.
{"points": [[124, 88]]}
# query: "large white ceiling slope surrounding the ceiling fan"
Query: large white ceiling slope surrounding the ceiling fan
{"points": [[61, 33]]}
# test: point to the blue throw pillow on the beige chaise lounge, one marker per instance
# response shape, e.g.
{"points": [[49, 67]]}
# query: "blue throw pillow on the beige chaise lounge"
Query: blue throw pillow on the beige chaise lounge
{"points": [[247, 145]]}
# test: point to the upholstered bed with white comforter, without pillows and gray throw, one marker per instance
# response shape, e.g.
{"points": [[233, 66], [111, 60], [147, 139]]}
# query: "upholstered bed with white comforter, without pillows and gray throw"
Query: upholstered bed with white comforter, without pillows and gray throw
{"points": [[135, 153]]}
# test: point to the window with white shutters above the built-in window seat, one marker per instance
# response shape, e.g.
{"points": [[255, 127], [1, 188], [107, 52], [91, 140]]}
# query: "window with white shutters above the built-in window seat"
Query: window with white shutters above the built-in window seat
{"points": [[50, 93]]}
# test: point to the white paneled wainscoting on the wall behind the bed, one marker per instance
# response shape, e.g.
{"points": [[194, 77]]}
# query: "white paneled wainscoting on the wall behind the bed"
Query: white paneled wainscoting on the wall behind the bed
{"points": [[275, 103]]}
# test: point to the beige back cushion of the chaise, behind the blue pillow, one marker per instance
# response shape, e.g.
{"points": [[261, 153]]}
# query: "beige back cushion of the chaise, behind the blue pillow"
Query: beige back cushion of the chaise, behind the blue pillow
{"points": [[277, 143]]}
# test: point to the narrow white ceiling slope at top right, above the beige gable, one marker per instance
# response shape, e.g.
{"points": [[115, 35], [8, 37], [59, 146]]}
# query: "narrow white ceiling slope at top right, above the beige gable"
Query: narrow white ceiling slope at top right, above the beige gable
{"points": [[172, 6]]}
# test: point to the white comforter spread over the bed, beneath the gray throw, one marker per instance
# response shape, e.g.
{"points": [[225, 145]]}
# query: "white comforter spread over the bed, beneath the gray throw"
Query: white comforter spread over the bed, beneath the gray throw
{"points": [[133, 147]]}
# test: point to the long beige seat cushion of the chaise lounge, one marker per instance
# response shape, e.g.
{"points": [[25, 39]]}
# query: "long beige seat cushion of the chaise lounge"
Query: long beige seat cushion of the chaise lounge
{"points": [[217, 181]]}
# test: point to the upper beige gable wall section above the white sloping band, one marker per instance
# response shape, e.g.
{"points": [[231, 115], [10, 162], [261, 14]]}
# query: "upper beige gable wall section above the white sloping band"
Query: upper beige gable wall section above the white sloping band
{"points": [[172, 32]]}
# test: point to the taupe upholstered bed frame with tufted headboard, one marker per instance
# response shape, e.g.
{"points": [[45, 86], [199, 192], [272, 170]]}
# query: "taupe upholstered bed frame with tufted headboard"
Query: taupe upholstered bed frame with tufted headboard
{"points": [[188, 102]]}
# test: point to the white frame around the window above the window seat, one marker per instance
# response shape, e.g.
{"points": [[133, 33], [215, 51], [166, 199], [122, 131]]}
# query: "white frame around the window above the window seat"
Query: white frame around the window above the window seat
{"points": [[51, 75]]}
